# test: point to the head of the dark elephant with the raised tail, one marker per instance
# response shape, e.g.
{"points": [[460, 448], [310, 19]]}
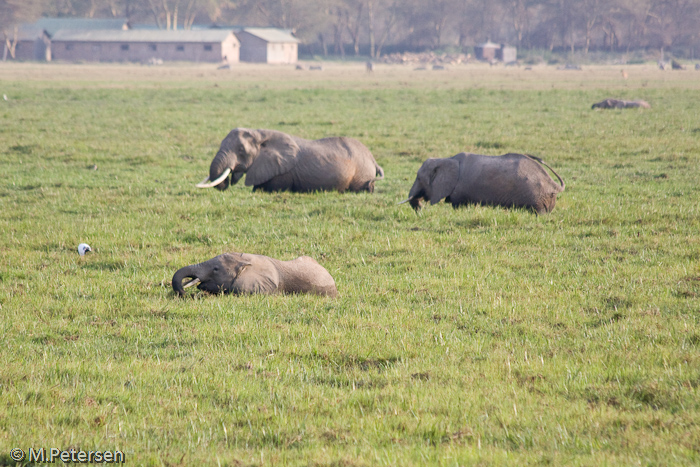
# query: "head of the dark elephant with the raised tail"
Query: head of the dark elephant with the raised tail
{"points": [[436, 179]]}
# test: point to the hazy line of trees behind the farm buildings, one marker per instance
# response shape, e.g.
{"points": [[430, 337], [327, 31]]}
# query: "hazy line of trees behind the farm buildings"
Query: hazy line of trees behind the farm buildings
{"points": [[370, 27]]}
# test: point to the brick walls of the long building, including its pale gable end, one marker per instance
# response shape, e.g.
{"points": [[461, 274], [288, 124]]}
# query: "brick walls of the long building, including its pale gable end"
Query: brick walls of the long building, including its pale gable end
{"points": [[142, 52]]}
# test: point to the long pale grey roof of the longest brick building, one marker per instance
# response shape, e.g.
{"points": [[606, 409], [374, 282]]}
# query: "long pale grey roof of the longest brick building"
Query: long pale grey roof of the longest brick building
{"points": [[143, 35]]}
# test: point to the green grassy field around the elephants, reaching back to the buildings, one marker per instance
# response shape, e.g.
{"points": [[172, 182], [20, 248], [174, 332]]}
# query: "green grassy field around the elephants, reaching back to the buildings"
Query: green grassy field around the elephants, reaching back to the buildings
{"points": [[471, 336]]}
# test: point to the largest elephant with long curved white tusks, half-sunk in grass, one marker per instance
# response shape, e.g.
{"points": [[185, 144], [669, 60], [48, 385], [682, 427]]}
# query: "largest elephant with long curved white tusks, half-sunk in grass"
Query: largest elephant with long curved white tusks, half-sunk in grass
{"points": [[275, 161]]}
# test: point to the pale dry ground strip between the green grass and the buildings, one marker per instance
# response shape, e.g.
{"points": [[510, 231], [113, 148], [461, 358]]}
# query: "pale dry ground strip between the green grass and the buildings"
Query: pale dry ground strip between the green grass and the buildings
{"points": [[351, 76]]}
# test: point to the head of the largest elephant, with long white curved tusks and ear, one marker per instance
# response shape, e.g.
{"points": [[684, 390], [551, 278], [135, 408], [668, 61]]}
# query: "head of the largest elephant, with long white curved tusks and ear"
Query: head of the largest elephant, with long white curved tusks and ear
{"points": [[261, 154]]}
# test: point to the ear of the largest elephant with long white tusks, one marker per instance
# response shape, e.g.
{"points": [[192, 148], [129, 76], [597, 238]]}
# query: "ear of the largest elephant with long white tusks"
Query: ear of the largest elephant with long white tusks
{"points": [[277, 156]]}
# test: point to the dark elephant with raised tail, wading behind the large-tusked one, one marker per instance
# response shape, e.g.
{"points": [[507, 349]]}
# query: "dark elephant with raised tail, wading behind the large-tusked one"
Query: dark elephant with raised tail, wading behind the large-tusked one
{"points": [[516, 180]]}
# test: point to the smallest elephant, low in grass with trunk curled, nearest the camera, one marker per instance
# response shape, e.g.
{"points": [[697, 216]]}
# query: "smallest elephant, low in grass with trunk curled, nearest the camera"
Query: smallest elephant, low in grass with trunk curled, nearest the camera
{"points": [[241, 273]]}
